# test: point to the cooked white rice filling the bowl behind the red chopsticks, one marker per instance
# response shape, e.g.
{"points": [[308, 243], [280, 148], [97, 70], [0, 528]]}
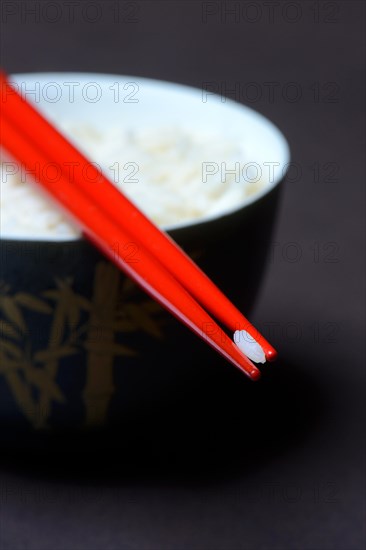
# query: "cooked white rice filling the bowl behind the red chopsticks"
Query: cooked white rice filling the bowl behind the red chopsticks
{"points": [[172, 174]]}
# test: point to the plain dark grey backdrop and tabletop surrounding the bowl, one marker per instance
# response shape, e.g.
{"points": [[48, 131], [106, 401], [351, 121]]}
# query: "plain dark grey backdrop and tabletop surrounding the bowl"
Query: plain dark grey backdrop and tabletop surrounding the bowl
{"points": [[276, 465]]}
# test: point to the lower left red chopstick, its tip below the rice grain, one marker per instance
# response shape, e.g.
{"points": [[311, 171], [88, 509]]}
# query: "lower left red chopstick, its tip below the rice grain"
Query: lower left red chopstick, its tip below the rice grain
{"points": [[148, 273]]}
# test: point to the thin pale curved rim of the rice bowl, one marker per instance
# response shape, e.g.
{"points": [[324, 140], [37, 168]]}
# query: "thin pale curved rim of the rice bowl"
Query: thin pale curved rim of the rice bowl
{"points": [[169, 85]]}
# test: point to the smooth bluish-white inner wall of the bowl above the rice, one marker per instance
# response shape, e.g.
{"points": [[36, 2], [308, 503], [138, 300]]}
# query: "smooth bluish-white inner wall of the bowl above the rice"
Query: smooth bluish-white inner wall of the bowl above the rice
{"points": [[133, 101]]}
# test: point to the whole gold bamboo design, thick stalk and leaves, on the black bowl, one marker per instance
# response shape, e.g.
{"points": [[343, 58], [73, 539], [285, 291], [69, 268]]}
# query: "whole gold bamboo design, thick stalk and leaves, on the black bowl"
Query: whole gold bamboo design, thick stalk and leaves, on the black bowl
{"points": [[112, 310]]}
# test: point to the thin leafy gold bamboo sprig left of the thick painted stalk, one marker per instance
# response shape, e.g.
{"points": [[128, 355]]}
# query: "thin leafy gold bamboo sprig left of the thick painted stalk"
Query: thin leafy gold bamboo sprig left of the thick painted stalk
{"points": [[21, 373]]}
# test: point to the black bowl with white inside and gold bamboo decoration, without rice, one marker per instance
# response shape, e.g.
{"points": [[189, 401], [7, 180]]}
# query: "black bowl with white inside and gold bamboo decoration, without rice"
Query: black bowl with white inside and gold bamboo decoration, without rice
{"points": [[81, 345]]}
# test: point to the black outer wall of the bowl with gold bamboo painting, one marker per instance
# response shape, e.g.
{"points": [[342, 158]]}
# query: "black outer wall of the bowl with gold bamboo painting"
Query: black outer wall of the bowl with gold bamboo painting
{"points": [[81, 345]]}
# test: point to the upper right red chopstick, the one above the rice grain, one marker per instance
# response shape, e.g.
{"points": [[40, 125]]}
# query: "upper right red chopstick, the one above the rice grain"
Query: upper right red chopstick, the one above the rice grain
{"points": [[56, 147]]}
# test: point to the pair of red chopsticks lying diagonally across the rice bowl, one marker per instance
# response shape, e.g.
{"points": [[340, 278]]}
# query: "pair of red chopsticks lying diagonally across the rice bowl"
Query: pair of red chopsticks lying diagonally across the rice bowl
{"points": [[28, 136]]}
